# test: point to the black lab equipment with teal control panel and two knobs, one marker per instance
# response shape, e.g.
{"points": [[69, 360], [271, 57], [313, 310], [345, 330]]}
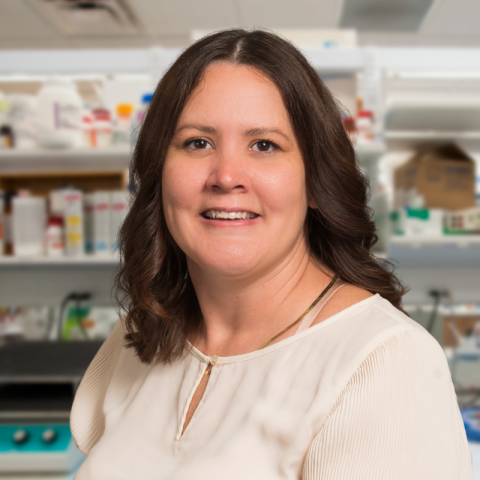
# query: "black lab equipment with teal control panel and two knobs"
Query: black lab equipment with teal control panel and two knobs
{"points": [[38, 380]]}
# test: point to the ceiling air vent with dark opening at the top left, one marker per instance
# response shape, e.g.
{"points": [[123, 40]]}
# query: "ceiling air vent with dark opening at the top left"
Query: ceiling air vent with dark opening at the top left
{"points": [[89, 18]]}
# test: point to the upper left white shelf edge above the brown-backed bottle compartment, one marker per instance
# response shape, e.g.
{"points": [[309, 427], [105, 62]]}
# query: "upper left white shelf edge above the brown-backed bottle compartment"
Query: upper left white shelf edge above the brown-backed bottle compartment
{"points": [[45, 160]]}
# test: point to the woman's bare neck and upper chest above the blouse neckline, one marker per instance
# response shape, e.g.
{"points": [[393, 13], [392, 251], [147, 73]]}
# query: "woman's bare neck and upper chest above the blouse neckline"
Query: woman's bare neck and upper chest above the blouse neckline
{"points": [[240, 314]]}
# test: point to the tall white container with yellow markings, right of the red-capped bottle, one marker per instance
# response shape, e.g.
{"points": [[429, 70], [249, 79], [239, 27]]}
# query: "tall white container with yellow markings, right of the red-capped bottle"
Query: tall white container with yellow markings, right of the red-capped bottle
{"points": [[73, 221]]}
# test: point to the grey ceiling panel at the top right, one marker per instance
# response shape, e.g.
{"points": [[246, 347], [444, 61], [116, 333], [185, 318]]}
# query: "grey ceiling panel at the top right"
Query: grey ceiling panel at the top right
{"points": [[384, 15]]}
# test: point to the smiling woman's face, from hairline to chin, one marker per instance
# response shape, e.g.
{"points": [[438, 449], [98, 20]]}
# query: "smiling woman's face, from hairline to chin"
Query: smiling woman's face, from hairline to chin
{"points": [[233, 182]]}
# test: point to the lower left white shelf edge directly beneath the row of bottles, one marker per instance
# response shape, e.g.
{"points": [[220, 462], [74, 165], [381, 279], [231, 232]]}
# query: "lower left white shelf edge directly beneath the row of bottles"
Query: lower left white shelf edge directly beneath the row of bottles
{"points": [[9, 261]]}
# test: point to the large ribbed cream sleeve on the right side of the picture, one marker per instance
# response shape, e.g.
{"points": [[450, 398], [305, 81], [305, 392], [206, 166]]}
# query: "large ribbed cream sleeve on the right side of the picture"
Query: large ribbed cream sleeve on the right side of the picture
{"points": [[396, 419]]}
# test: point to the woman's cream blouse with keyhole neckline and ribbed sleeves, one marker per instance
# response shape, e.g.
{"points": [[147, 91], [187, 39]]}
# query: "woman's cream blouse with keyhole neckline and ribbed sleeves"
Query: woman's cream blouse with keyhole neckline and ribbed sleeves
{"points": [[365, 395]]}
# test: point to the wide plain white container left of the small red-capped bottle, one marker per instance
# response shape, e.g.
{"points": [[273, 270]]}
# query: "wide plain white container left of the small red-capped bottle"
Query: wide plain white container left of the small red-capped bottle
{"points": [[28, 226]]}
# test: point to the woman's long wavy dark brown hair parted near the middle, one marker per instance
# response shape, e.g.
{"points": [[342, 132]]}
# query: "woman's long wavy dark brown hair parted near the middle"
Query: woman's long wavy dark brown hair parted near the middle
{"points": [[153, 286]]}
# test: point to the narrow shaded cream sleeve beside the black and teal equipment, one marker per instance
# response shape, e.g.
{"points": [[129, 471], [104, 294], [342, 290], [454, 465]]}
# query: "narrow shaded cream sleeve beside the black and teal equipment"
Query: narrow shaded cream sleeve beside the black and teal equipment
{"points": [[86, 418]]}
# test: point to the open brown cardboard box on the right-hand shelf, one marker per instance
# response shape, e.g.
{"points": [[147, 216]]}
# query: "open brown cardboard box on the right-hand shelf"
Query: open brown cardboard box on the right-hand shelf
{"points": [[443, 176]]}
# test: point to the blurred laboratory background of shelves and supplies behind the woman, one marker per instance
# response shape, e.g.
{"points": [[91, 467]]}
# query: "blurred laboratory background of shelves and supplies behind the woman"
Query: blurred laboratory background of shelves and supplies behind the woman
{"points": [[76, 78]]}
